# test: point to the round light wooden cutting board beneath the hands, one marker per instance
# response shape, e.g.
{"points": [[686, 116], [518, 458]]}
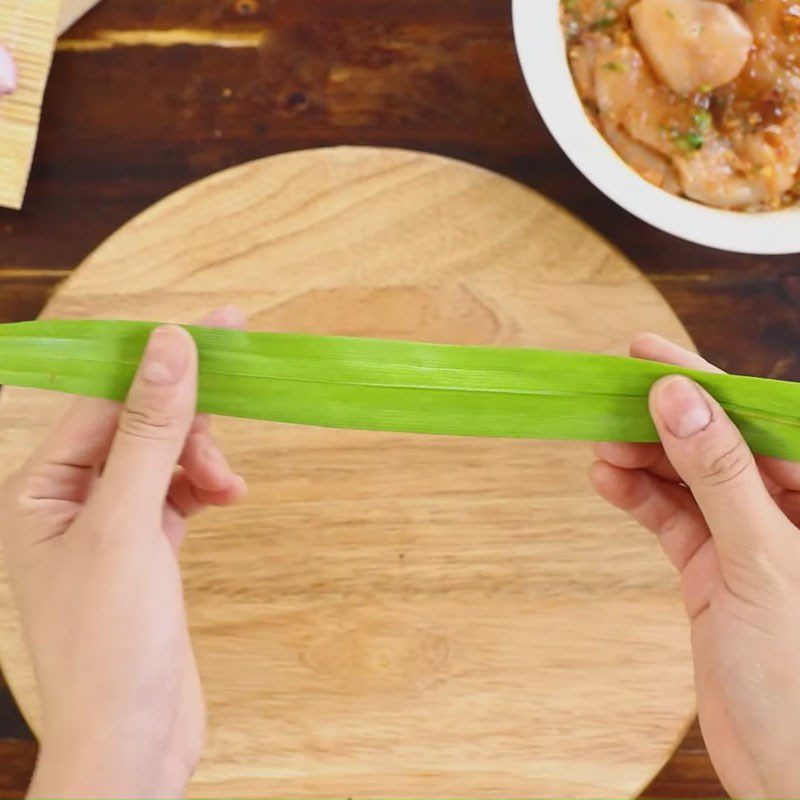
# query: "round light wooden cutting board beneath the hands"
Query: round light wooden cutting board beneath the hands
{"points": [[391, 615]]}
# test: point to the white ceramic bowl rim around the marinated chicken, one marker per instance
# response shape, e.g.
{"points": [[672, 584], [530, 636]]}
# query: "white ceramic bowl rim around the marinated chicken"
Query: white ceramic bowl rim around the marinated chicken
{"points": [[542, 53]]}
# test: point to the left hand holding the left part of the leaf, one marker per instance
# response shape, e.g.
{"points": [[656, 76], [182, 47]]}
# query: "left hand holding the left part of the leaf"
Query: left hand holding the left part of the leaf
{"points": [[91, 527]]}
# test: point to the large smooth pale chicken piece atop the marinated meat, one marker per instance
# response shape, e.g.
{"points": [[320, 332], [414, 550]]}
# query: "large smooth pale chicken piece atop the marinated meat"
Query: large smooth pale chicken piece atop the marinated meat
{"points": [[692, 43]]}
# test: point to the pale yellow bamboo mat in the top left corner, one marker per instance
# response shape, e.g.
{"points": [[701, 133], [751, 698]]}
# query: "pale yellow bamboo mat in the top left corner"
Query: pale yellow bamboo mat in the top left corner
{"points": [[28, 29]]}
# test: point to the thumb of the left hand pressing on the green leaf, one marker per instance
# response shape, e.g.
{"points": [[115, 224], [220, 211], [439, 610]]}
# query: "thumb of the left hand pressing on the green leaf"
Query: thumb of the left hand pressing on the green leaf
{"points": [[153, 426]]}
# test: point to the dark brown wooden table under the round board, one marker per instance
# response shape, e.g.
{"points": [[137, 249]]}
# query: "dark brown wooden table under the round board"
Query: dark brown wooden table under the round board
{"points": [[147, 96]]}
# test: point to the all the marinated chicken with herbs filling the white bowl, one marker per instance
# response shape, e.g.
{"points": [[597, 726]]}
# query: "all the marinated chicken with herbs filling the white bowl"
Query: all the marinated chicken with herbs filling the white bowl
{"points": [[736, 146]]}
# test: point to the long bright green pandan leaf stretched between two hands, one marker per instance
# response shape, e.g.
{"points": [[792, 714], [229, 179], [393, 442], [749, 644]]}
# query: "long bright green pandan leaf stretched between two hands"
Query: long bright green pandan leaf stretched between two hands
{"points": [[373, 384]]}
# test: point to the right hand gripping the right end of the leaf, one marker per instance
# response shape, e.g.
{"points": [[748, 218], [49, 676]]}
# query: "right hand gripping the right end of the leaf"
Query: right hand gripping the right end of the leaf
{"points": [[729, 524]]}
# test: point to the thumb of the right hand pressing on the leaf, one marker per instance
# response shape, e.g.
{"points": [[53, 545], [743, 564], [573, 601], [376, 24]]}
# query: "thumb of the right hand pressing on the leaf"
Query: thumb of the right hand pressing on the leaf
{"points": [[713, 459]]}
